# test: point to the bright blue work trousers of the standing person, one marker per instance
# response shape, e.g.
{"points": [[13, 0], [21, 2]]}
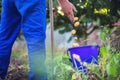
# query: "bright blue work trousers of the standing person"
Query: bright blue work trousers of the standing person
{"points": [[30, 16]]}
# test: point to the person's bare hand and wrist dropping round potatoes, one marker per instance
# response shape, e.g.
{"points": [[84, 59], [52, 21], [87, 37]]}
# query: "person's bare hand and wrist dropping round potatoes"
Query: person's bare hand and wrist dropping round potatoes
{"points": [[67, 8]]}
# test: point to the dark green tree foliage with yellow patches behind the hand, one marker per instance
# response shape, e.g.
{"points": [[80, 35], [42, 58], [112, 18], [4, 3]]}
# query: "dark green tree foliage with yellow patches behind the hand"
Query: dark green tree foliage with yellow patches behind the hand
{"points": [[92, 14]]}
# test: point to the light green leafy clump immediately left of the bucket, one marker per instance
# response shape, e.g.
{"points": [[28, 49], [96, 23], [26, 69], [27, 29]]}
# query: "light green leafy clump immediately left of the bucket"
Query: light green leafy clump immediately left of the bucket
{"points": [[62, 68]]}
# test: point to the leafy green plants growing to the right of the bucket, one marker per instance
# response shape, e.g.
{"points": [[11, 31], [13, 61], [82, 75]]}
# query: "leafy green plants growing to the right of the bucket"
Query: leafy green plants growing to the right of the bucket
{"points": [[109, 59]]}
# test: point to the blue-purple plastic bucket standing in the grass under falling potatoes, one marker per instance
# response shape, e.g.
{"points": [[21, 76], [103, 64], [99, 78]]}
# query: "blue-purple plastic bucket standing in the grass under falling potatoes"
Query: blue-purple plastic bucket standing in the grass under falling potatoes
{"points": [[88, 54]]}
